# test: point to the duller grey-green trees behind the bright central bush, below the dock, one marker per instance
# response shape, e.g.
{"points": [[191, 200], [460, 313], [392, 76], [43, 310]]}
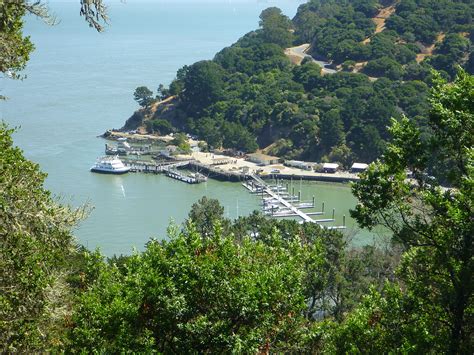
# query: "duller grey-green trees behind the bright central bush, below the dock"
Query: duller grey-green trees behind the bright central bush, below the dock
{"points": [[337, 275]]}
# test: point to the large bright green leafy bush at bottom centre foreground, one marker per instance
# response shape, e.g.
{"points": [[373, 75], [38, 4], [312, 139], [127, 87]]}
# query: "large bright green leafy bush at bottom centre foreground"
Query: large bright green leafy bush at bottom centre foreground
{"points": [[194, 294]]}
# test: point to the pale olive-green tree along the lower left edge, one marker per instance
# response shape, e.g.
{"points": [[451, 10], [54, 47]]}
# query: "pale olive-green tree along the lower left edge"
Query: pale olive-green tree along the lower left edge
{"points": [[35, 248]]}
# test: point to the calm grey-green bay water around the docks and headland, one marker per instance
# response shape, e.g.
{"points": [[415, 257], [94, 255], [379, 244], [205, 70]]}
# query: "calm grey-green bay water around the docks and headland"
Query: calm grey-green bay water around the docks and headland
{"points": [[80, 83]]}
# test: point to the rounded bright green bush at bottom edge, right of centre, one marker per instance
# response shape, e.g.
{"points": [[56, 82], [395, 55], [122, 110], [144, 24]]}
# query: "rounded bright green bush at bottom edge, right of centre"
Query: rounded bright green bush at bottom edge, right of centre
{"points": [[387, 321]]}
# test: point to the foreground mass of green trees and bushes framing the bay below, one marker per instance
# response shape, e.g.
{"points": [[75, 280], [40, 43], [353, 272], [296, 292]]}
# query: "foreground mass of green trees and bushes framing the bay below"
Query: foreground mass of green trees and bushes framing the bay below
{"points": [[258, 285]]}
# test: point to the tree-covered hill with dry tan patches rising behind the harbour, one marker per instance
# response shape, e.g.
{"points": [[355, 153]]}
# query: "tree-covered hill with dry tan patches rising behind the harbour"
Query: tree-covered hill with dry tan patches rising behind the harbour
{"points": [[251, 96]]}
